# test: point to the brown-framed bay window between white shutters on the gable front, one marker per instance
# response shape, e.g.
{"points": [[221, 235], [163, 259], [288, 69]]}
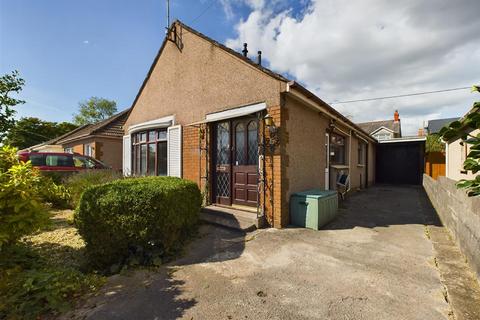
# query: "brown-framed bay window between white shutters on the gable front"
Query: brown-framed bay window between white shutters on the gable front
{"points": [[149, 152]]}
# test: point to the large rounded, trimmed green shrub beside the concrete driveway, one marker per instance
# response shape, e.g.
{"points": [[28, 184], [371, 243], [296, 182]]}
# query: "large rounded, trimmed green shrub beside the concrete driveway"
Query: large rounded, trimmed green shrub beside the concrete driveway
{"points": [[137, 221]]}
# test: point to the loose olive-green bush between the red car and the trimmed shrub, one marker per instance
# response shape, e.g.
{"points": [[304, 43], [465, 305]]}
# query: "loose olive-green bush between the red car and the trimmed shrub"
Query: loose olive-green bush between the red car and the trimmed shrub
{"points": [[78, 182]]}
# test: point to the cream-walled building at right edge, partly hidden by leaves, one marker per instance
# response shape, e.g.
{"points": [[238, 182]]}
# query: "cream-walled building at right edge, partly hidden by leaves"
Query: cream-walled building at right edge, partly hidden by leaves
{"points": [[456, 154]]}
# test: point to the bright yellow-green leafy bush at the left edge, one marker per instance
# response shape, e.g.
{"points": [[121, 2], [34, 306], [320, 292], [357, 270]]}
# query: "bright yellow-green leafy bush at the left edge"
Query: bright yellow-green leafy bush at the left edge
{"points": [[21, 208]]}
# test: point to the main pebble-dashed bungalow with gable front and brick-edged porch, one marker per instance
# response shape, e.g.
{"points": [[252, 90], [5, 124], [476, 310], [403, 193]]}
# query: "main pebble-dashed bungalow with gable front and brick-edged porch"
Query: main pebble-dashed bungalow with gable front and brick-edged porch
{"points": [[247, 136]]}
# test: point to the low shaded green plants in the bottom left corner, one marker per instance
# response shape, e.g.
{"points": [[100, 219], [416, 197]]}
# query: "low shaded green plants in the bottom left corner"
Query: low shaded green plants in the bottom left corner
{"points": [[31, 287]]}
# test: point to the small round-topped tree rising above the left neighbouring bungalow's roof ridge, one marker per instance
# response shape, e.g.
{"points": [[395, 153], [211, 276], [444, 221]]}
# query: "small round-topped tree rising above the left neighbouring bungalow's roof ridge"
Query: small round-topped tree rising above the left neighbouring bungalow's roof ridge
{"points": [[94, 110]]}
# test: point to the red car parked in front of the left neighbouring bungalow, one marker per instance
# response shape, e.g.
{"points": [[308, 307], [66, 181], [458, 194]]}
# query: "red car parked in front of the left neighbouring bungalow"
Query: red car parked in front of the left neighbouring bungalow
{"points": [[67, 162]]}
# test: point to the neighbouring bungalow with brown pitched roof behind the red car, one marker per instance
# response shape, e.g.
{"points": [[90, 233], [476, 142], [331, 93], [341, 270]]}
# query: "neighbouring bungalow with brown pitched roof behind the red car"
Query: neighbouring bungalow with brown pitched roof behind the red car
{"points": [[101, 140]]}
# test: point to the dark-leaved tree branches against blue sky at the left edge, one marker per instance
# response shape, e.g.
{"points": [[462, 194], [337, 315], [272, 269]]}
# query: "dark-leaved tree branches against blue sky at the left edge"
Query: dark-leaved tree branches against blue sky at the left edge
{"points": [[9, 83]]}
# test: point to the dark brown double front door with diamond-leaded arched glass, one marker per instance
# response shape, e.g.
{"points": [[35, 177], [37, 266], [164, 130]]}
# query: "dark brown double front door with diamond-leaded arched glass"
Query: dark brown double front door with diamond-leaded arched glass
{"points": [[236, 162]]}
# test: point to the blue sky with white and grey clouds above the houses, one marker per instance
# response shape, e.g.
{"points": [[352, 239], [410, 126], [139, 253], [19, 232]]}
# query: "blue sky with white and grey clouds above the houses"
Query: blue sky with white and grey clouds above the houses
{"points": [[68, 51]]}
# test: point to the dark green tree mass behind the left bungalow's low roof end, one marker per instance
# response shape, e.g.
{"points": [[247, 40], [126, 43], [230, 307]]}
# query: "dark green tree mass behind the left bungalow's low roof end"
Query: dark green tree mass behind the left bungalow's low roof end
{"points": [[30, 131]]}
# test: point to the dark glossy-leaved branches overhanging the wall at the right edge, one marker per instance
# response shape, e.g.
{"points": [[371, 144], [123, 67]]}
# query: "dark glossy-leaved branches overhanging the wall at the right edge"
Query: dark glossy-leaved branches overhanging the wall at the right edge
{"points": [[463, 129]]}
